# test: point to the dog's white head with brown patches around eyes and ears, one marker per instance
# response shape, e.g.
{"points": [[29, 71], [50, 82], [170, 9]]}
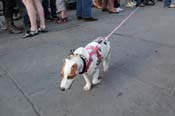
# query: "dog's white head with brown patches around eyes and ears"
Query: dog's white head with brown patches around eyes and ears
{"points": [[68, 74]]}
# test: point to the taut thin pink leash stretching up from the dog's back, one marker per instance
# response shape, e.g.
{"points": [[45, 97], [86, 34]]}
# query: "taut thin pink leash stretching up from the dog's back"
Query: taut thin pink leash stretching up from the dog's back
{"points": [[117, 27]]}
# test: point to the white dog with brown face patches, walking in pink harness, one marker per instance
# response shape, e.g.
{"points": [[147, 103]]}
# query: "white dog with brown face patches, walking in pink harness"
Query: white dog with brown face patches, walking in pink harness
{"points": [[85, 61]]}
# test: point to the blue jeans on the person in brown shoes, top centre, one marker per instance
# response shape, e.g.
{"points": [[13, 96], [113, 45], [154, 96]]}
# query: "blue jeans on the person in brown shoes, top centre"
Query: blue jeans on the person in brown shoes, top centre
{"points": [[84, 8]]}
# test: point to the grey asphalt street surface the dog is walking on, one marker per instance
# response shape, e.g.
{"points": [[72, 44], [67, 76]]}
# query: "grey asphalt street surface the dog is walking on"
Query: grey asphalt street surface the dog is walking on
{"points": [[140, 80]]}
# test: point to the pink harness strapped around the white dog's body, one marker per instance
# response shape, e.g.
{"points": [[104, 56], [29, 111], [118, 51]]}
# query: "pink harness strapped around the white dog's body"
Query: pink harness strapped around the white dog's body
{"points": [[93, 51]]}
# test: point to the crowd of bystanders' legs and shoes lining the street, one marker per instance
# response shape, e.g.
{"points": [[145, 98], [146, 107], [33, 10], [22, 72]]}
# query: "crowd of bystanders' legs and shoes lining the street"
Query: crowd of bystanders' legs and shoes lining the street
{"points": [[55, 10]]}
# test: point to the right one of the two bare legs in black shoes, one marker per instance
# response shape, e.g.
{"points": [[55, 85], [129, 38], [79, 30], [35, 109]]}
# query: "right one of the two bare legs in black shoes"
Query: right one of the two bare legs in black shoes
{"points": [[40, 13]]}
